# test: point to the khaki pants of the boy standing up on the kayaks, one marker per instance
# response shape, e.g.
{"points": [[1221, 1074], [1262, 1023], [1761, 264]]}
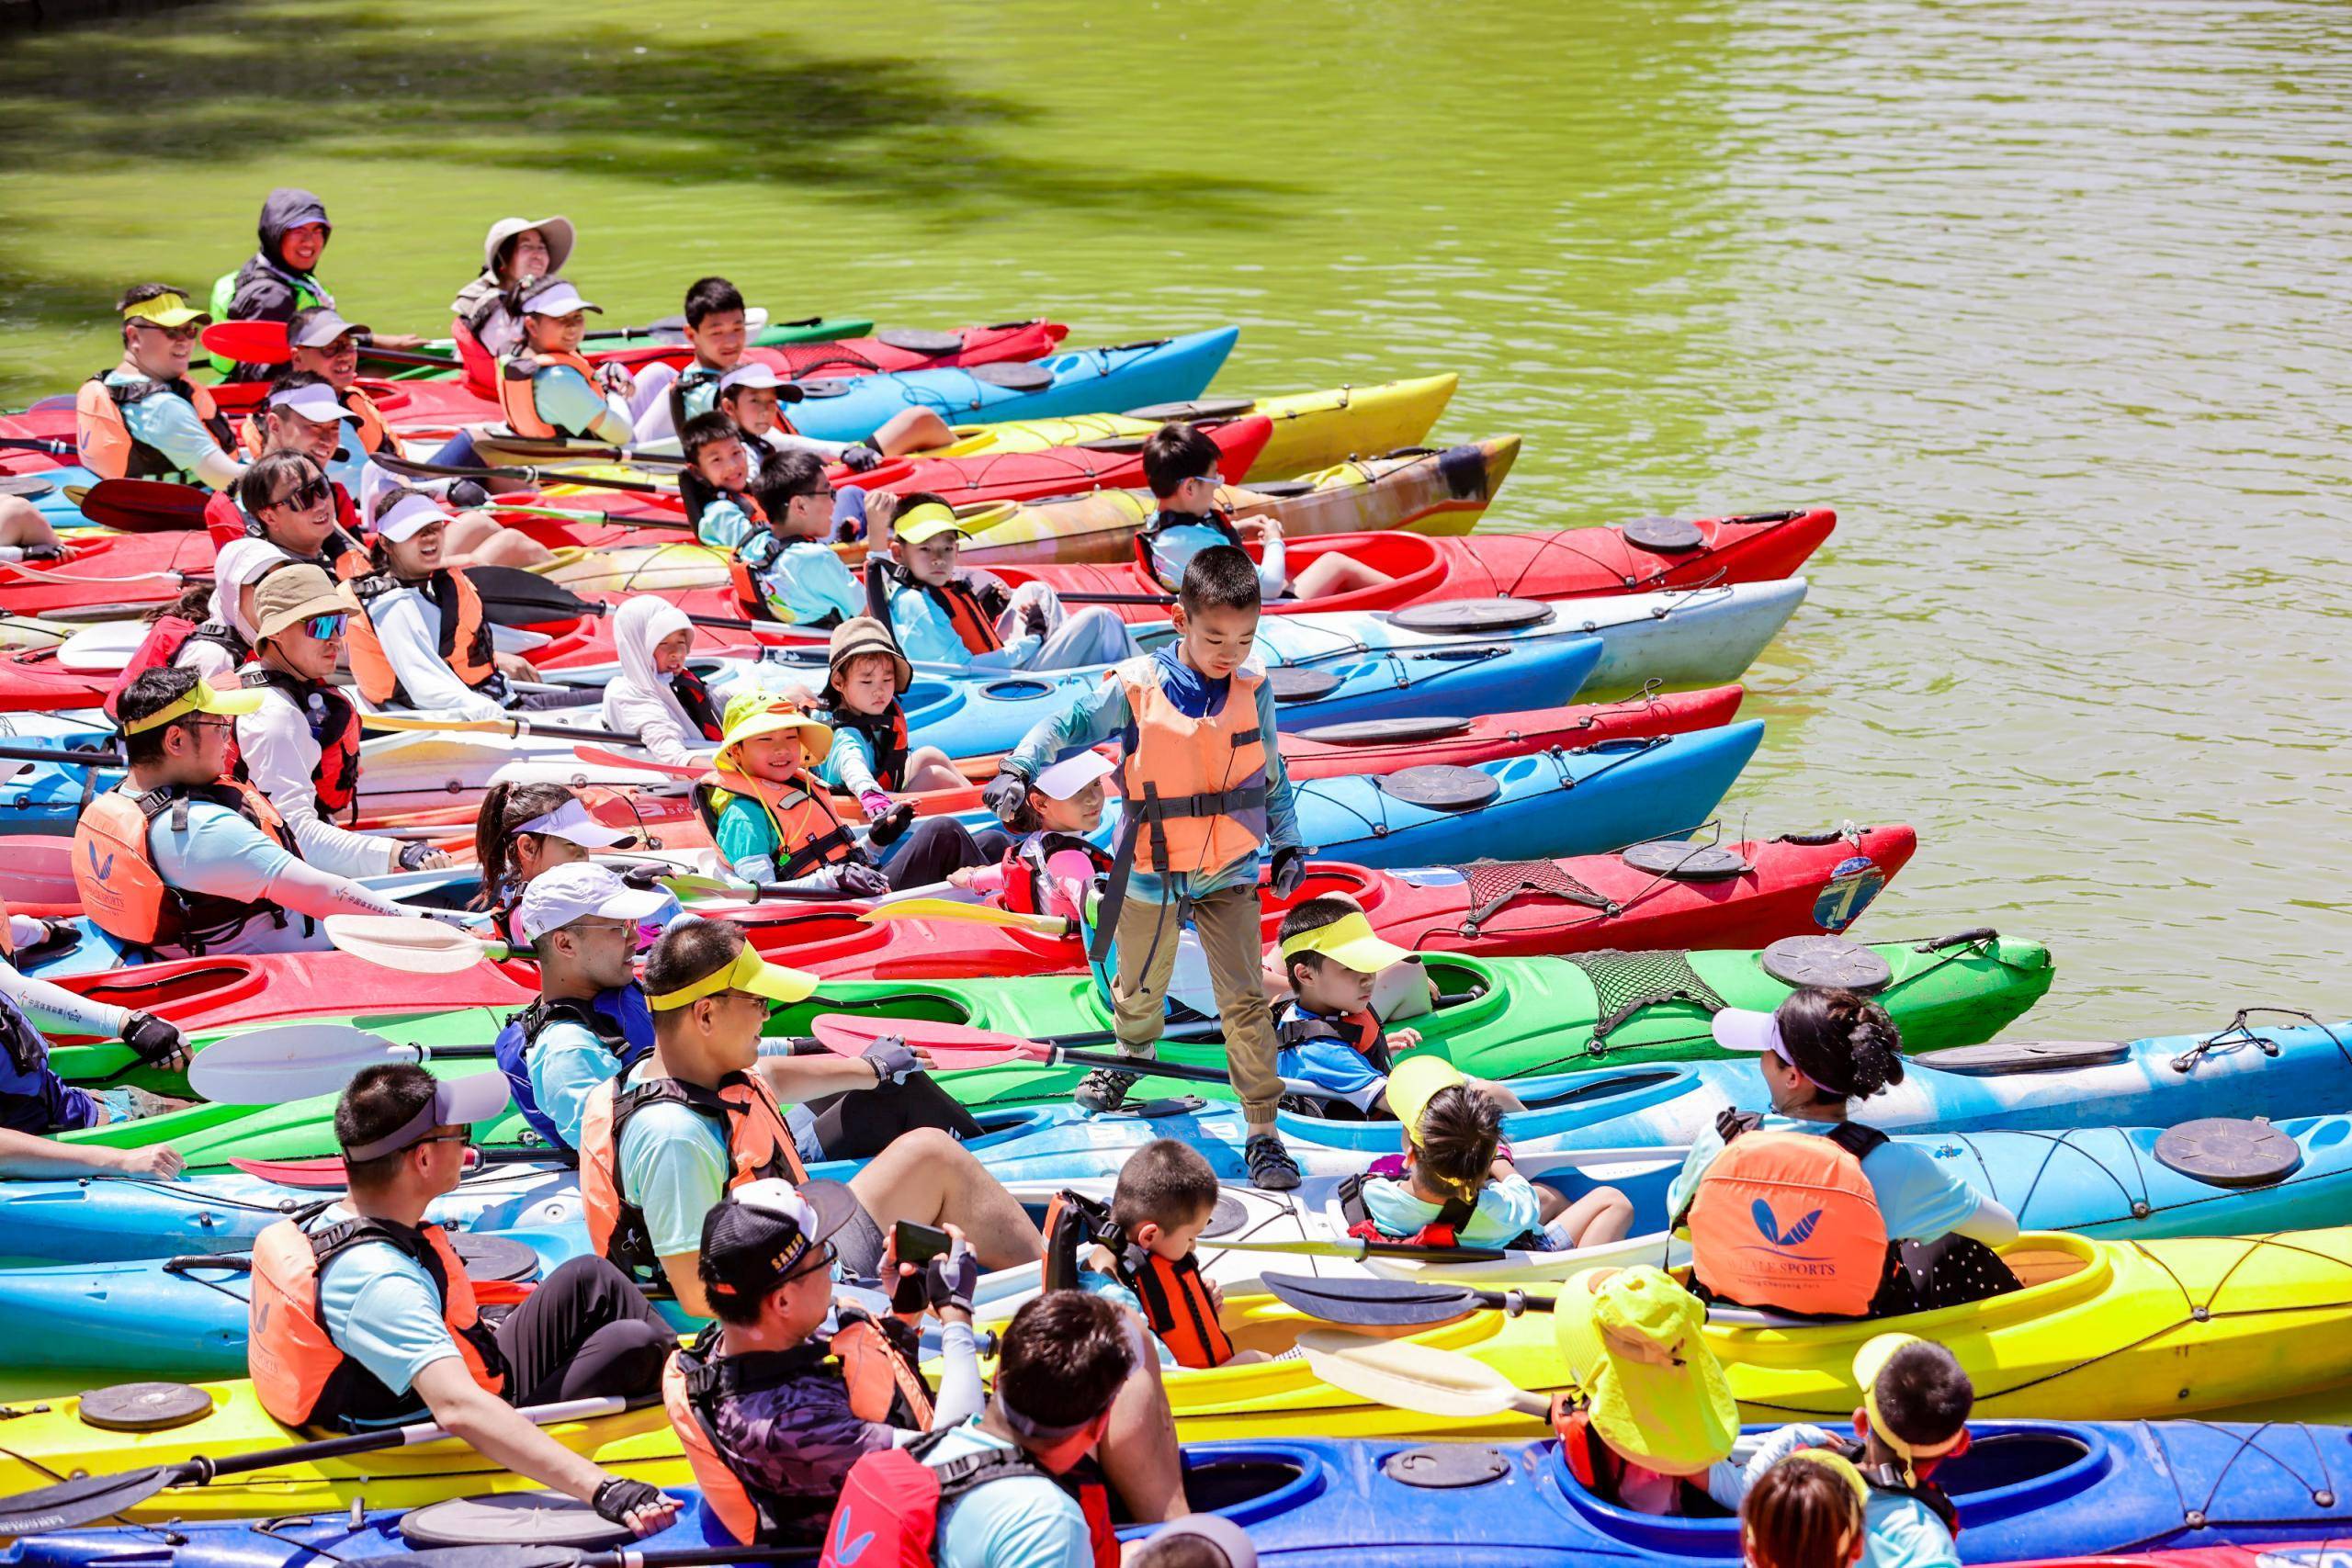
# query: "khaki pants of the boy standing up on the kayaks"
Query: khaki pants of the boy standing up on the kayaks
{"points": [[1229, 942]]}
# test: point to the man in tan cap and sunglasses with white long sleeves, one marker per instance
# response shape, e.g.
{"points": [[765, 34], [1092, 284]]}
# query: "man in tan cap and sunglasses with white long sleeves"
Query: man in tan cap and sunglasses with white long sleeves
{"points": [[302, 744]]}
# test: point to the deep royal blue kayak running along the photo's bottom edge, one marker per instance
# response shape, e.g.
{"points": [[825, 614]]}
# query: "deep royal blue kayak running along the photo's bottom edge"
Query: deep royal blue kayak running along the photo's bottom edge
{"points": [[2024, 1492]]}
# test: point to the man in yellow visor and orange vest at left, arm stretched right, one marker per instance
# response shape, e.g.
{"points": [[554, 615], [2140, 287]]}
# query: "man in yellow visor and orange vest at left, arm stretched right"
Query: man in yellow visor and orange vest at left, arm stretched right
{"points": [[180, 859]]}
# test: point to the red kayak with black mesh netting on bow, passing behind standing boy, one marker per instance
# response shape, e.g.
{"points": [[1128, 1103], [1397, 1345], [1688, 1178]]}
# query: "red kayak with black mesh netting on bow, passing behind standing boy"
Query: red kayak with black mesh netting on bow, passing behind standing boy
{"points": [[1796, 885]]}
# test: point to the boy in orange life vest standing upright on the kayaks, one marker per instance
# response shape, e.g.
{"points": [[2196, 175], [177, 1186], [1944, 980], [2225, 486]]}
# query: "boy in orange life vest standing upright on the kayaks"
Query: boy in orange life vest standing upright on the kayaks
{"points": [[1203, 800]]}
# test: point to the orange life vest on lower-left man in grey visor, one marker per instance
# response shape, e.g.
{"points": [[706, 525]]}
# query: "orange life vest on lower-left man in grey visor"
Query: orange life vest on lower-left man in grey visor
{"points": [[300, 1374]]}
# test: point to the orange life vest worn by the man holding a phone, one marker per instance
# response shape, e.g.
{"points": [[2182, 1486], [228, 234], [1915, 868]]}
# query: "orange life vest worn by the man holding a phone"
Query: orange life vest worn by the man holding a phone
{"points": [[883, 1388]]}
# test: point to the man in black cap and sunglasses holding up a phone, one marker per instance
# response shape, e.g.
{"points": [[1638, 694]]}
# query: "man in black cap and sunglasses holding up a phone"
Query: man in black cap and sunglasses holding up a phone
{"points": [[791, 1386]]}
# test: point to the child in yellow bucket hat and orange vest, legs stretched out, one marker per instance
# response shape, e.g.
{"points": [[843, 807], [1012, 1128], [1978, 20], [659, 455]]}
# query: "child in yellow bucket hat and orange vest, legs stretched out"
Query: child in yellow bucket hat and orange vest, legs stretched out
{"points": [[773, 819]]}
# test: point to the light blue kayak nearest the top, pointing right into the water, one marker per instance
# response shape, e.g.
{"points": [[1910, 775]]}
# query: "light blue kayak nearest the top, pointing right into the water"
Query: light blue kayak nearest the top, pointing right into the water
{"points": [[1076, 382]]}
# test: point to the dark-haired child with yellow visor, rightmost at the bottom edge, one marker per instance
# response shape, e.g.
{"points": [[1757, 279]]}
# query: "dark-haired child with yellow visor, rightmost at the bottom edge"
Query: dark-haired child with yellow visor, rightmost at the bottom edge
{"points": [[1913, 1419]]}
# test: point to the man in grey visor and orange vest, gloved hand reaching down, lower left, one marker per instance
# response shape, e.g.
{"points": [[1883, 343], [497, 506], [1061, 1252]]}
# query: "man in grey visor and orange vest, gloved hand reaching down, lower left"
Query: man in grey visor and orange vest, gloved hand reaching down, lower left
{"points": [[368, 1315]]}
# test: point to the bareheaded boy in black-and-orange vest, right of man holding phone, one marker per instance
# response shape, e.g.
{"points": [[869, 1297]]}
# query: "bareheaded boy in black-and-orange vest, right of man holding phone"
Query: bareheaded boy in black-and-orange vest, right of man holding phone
{"points": [[1144, 1259]]}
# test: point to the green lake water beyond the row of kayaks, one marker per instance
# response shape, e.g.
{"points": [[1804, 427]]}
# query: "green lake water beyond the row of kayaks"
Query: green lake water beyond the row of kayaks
{"points": [[2045, 297]]}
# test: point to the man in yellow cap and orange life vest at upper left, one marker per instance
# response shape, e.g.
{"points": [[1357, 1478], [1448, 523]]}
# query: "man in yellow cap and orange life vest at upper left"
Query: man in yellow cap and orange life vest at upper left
{"points": [[145, 420]]}
